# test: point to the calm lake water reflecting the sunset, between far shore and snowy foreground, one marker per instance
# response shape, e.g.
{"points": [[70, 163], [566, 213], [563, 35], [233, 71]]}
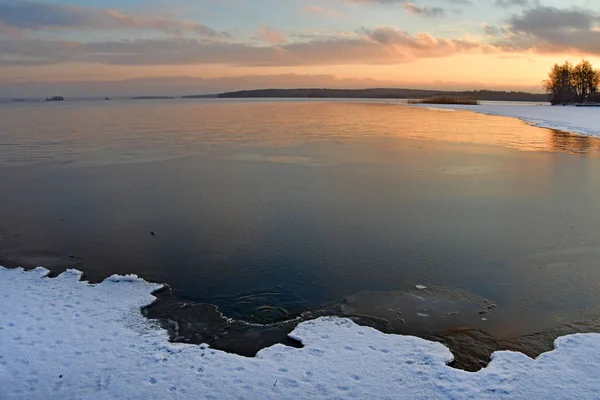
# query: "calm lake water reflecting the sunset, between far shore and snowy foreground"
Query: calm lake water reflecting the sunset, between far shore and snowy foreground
{"points": [[269, 209]]}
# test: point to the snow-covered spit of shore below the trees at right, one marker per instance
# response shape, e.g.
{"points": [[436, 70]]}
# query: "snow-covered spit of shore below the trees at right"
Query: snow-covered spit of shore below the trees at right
{"points": [[581, 120]]}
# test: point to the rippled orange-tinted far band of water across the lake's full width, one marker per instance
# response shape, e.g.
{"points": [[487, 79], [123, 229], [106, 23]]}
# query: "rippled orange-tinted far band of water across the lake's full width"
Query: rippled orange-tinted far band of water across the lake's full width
{"points": [[121, 131]]}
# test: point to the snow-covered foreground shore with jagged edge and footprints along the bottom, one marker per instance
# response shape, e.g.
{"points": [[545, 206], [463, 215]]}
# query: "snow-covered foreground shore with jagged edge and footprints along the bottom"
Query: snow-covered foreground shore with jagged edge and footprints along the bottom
{"points": [[66, 339]]}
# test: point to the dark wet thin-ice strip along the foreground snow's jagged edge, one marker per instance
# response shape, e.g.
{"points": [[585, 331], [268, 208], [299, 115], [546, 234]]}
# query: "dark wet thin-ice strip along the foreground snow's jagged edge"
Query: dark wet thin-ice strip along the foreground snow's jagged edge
{"points": [[453, 318]]}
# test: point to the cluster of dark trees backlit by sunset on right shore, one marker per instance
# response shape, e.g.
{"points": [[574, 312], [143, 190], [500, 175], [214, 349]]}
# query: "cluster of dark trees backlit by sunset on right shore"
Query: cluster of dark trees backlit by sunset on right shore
{"points": [[568, 83]]}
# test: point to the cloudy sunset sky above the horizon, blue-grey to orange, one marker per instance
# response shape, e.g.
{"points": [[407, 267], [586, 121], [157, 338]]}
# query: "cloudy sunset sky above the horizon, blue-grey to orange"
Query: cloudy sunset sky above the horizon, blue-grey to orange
{"points": [[98, 47]]}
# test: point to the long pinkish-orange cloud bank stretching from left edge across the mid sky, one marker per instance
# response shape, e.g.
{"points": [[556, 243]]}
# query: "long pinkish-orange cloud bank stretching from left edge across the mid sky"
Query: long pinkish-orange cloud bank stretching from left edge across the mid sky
{"points": [[383, 45]]}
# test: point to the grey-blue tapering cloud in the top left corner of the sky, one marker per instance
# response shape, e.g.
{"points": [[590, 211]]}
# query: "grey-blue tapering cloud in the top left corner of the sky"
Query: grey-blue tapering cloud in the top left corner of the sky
{"points": [[29, 15]]}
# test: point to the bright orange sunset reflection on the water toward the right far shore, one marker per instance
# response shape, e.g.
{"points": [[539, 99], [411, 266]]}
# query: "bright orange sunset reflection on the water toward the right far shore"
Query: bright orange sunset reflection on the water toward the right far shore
{"points": [[338, 120]]}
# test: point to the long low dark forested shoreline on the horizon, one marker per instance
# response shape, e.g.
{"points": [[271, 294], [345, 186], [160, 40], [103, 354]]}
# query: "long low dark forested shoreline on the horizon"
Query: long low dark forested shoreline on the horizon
{"points": [[381, 94]]}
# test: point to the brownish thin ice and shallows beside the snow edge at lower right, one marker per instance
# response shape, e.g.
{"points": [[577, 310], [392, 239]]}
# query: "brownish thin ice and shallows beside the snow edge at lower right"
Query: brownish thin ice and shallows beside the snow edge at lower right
{"points": [[457, 319]]}
